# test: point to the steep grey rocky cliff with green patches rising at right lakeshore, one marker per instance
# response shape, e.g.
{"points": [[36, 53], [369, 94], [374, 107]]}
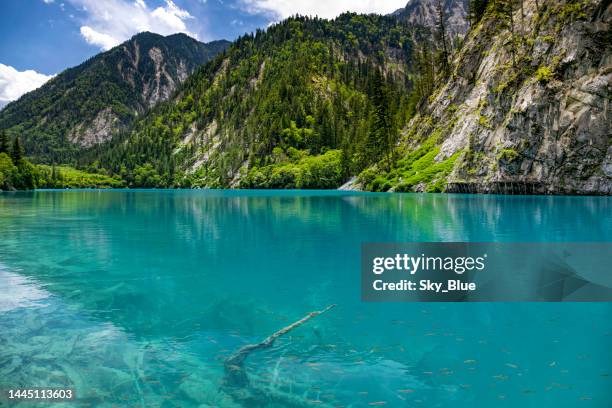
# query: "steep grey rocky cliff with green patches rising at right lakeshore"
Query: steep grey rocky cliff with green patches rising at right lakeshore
{"points": [[524, 108]]}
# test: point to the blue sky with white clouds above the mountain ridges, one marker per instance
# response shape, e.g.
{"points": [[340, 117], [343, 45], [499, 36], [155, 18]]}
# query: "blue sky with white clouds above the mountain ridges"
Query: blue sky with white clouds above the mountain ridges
{"points": [[41, 38]]}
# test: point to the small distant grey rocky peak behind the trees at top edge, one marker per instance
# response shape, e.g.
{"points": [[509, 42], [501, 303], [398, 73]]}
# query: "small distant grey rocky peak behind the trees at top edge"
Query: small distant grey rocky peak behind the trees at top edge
{"points": [[426, 13]]}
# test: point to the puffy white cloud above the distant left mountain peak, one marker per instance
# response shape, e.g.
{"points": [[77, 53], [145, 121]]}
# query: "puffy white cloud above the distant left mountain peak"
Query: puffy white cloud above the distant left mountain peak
{"points": [[110, 22]]}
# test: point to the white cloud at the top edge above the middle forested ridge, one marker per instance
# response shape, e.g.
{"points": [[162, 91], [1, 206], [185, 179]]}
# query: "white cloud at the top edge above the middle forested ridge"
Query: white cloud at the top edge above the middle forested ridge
{"points": [[321, 8]]}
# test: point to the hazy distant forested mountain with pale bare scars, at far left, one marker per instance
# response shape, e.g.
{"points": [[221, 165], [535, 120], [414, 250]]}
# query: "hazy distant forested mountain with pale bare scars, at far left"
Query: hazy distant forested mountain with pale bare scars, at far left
{"points": [[85, 105]]}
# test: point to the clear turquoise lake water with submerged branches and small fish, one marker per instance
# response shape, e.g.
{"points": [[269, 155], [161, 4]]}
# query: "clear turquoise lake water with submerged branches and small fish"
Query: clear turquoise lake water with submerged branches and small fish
{"points": [[136, 298]]}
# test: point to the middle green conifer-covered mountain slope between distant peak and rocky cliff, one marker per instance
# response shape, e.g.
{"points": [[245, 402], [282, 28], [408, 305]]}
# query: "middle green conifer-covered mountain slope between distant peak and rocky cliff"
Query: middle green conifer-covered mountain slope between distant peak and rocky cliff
{"points": [[304, 104]]}
